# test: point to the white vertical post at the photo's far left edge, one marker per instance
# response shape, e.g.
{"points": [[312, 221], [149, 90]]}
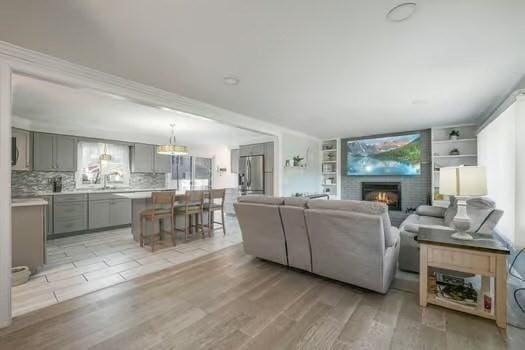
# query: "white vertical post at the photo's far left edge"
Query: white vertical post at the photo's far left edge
{"points": [[5, 195]]}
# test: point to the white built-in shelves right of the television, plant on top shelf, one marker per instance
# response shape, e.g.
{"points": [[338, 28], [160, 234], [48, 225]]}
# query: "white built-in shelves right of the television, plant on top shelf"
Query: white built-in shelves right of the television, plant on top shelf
{"points": [[444, 155]]}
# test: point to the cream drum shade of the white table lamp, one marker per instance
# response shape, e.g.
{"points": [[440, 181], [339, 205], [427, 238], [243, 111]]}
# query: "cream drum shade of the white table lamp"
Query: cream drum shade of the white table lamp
{"points": [[463, 181]]}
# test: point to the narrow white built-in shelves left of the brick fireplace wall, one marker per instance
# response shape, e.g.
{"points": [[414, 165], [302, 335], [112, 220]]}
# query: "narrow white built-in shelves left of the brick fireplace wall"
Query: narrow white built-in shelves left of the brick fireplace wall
{"points": [[330, 168]]}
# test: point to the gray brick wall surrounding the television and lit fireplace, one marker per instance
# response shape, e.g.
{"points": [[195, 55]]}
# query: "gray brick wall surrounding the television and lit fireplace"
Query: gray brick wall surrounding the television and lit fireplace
{"points": [[415, 190]]}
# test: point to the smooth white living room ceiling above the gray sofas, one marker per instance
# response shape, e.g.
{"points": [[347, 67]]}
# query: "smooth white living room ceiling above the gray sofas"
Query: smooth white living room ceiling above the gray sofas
{"points": [[327, 68]]}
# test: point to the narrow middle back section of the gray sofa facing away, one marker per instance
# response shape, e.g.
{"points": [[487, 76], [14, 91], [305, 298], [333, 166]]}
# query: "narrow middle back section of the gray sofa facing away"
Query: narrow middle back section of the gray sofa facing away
{"points": [[296, 233]]}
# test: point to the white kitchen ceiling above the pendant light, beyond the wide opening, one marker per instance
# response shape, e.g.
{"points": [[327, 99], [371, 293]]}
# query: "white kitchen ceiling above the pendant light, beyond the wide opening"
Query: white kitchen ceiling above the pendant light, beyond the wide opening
{"points": [[45, 106]]}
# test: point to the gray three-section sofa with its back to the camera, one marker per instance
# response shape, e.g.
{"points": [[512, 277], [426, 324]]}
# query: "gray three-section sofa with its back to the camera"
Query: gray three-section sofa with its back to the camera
{"points": [[350, 241]]}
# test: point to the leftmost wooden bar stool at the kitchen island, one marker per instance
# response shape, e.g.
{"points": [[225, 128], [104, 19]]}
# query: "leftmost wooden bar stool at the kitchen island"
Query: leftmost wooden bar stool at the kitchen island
{"points": [[162, 210]]}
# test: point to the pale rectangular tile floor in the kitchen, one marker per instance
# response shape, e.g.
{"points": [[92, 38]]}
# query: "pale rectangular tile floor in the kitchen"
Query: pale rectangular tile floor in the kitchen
{"points": [[78, 265]]}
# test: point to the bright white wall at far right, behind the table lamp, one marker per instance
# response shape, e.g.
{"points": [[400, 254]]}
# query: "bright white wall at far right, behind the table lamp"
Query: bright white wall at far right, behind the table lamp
{"points": [[501, 148]]}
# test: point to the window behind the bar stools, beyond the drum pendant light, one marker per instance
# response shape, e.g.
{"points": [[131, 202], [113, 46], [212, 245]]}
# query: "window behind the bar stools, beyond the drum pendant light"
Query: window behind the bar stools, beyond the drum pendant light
{"points": [[192, 172]]}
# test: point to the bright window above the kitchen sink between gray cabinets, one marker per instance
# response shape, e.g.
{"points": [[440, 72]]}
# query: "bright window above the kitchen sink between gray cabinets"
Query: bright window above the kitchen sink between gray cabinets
{"points": [[95, 173]]}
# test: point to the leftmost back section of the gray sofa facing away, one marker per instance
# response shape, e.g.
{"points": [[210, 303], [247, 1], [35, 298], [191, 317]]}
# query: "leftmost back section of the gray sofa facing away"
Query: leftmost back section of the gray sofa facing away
{"points": [[262, 231]]}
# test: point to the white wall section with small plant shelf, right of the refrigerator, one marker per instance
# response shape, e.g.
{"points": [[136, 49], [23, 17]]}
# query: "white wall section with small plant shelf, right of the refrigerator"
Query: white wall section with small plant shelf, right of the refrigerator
{"points": [[300, 180]]}
